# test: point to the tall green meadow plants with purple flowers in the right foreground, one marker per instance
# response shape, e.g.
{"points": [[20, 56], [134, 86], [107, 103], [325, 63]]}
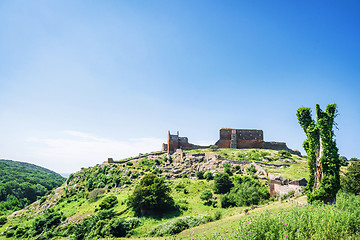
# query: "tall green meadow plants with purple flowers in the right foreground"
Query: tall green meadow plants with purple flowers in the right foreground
{"points": [[313, 221]]}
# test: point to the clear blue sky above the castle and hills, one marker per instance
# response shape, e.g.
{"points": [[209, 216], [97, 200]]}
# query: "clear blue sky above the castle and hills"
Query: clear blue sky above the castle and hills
{"points": [[81, 81]]}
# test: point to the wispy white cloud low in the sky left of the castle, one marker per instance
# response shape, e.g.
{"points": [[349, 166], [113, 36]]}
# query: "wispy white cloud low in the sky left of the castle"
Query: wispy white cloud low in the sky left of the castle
{"points": [[77, 149]]}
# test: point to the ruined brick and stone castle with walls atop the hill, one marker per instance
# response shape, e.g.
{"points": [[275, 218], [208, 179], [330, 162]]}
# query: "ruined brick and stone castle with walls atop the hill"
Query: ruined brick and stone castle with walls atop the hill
{"points": [[229, 138]]}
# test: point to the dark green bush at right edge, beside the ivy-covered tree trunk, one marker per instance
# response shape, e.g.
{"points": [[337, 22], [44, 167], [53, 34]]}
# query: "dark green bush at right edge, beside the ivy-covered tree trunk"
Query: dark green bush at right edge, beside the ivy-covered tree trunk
{"points": [[350, 182]]}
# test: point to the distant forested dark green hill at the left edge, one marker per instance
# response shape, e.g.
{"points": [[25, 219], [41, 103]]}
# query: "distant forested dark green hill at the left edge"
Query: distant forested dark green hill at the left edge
{"points": [[22, 183]]}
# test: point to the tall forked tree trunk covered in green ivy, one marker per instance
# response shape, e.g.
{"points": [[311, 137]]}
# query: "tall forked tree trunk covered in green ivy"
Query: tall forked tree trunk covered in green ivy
{"points": [[323, 157]]}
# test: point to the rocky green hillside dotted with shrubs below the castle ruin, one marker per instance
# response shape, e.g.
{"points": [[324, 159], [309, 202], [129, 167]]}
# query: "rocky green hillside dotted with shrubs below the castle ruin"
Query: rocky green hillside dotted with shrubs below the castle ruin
{"points": [[77, 203]]}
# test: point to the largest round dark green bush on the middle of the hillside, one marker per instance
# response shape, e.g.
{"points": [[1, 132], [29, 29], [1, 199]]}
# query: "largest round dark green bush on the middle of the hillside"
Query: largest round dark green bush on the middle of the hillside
{"points": [[152, 194]]}
